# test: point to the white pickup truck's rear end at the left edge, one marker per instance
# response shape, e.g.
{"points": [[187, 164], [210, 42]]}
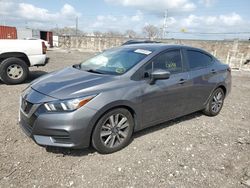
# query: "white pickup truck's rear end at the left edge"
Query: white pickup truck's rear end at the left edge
{"points": [[16, 56]]}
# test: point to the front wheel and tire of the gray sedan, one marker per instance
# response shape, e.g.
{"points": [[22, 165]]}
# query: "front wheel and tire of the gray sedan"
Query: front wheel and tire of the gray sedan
{"points": [[109, 137]]}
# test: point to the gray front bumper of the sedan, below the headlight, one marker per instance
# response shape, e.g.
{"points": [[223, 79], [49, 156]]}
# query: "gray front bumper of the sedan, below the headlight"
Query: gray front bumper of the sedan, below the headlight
{"points": [[72, 130]]}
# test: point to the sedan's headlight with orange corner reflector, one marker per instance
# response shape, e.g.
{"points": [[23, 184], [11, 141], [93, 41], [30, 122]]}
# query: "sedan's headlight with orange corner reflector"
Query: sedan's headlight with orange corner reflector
{"points": [[67, 105]]}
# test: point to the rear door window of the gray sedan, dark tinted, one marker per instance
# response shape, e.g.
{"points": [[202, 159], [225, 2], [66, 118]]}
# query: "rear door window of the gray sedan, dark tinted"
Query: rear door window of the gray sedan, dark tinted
{"points": [[198, 59]]}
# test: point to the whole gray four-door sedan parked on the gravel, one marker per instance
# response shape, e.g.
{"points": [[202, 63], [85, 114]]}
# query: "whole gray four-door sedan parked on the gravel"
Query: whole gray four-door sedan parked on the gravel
{"points": [[103, 100]]}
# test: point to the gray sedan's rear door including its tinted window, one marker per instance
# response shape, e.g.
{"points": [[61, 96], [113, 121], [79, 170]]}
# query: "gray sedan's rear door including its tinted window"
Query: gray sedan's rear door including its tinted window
{"points": [[201, 73]]}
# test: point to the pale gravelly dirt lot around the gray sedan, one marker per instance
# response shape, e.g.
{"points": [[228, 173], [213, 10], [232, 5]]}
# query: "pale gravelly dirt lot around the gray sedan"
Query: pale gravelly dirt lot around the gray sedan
{"points": [[193, 151]]}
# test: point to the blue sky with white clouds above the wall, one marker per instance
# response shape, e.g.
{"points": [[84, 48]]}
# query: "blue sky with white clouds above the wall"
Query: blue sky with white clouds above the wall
{"points": [[197, 19]]}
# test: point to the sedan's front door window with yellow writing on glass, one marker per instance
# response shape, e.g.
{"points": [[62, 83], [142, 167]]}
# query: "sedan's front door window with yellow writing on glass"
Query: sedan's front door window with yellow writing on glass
{"points": [[170, 61]]}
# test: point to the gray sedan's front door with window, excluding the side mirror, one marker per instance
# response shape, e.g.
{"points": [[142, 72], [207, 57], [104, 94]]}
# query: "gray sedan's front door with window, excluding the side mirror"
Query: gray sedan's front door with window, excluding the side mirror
{"points": [[165, 99]]}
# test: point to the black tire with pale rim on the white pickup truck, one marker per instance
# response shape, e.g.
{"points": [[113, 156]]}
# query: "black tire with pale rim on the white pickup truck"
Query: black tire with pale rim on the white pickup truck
{"points": [[13, 71]]}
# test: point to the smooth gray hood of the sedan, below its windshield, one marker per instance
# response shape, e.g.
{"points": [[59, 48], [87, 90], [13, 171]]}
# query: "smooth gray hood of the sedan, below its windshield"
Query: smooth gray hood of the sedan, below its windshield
{"points": [[71, 82]]}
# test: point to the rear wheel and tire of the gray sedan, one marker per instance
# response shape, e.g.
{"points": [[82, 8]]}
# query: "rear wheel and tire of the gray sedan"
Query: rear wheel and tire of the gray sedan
{"points": [[215, 103]]}
